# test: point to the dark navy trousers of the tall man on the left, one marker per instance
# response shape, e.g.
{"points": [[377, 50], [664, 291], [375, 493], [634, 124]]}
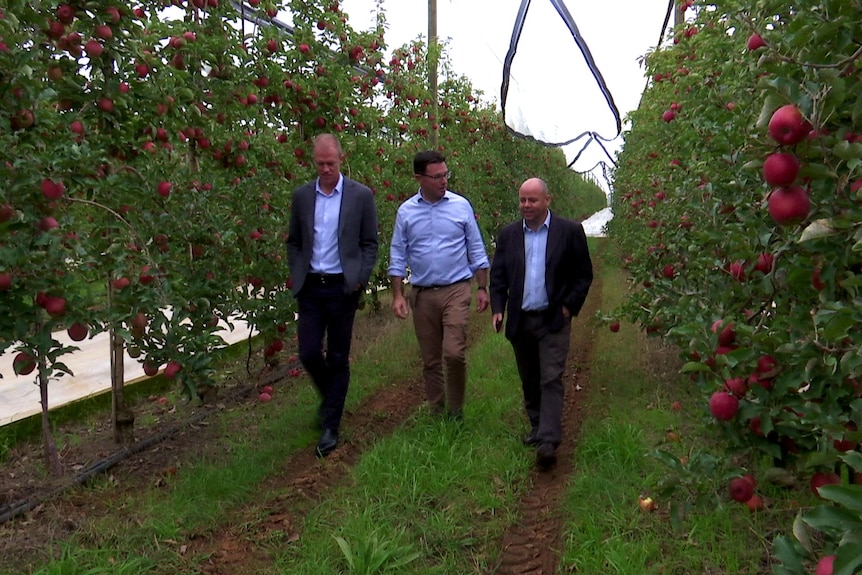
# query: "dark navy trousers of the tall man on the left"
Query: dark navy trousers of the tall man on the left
{"points": [[327, 310]]}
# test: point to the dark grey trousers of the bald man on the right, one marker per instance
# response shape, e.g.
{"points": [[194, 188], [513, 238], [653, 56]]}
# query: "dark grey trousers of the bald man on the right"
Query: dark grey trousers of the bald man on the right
{"points": [[541, 359]]}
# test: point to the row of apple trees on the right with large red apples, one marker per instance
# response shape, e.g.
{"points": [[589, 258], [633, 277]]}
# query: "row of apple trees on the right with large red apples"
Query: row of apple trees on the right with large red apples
{"points": [[738, 205]]}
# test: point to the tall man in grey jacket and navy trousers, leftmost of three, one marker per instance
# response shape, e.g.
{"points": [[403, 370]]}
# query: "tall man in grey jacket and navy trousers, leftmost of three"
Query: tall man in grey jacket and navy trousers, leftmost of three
{"points": [[331, 249]]}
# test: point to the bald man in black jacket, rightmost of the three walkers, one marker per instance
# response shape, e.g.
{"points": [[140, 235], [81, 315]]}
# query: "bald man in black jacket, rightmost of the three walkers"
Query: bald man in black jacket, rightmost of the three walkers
{"points": [[540, 275]]}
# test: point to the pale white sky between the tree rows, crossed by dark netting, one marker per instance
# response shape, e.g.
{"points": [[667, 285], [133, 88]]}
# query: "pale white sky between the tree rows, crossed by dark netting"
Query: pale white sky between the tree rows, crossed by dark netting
{"points": [[564, 72]]}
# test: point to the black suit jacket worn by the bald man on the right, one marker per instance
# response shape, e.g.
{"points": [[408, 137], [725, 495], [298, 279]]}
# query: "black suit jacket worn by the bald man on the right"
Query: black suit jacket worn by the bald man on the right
{"points": [[568, 273]]}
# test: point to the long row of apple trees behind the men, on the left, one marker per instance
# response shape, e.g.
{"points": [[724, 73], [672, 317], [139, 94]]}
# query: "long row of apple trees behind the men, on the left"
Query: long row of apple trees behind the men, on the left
{"points": [[148, 151]]}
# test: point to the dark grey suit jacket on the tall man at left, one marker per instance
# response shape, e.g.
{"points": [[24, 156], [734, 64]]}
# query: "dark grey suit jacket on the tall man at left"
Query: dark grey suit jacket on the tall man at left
{"points": [[357, 234]]}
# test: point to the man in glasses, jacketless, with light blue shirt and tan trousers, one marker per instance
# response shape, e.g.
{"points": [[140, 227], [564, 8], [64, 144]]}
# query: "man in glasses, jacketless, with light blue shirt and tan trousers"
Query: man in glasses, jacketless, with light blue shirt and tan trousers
{"points": [[437, 238]]}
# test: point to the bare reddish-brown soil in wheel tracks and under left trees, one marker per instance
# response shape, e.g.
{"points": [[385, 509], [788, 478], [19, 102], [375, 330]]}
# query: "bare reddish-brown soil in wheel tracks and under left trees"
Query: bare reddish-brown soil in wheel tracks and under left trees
{"points": [[54, 512]]}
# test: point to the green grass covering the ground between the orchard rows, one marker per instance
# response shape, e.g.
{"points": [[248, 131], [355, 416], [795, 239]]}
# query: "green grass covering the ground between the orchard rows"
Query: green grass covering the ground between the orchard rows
{"points": [[436, 496]]}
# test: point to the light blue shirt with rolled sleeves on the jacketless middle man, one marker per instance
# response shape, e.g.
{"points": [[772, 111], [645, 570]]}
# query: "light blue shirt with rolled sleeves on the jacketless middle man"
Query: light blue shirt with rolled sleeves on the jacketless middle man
{"points": [[440, 242]]}
